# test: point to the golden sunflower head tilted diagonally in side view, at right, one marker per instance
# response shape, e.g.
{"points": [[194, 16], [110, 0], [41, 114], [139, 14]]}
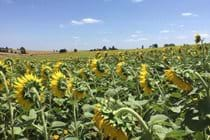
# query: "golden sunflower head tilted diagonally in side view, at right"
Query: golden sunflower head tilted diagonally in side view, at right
{"points": [[172, 77]]}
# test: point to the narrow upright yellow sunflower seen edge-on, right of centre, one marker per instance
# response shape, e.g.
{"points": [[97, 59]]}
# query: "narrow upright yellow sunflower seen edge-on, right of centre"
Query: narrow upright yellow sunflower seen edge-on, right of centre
{"points": [[143, 79]]}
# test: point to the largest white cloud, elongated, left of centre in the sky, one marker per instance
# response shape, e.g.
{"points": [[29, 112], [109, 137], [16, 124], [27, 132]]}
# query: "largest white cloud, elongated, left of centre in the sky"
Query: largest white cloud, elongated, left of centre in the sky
{"points": [[86, 21]]}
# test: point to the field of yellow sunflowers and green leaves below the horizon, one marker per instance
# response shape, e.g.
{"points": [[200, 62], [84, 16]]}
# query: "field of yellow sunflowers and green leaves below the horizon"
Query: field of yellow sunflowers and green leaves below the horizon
{"points": [[146, 94]]}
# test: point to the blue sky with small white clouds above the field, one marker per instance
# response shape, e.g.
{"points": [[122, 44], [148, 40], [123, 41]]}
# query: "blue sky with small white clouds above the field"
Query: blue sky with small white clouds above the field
{"points": [[86, 24]]}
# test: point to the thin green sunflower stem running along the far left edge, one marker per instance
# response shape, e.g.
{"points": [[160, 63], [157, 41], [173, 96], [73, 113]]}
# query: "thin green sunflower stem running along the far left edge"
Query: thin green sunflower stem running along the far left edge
{"points": [[10, 105]]}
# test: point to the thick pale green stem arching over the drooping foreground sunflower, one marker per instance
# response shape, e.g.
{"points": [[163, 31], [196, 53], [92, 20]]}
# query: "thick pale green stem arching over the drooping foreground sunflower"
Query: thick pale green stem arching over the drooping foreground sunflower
{"points": [[137, 116]]}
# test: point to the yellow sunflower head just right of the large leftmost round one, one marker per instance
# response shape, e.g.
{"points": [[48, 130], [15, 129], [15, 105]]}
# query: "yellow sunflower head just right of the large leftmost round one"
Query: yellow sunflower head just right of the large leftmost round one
{"points": [[60, 85]]}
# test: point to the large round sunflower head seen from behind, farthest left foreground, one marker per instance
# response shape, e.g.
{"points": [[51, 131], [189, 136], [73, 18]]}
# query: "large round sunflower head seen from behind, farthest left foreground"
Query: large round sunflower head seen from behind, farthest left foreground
{"points": [[23, 90]]}
